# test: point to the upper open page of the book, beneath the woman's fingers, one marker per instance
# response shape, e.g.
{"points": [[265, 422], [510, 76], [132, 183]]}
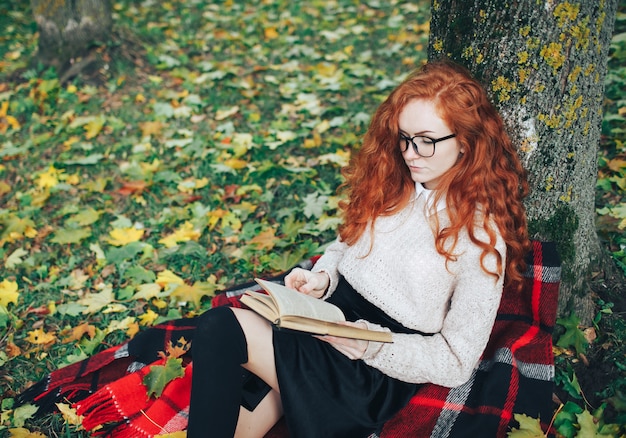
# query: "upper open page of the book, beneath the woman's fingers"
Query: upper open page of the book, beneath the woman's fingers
{"points": [[292, 302]]}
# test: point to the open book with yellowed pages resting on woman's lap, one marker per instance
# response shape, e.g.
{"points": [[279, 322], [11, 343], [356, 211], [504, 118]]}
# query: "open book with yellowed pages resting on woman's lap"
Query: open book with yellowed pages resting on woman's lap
{"points": [[290, 309]]}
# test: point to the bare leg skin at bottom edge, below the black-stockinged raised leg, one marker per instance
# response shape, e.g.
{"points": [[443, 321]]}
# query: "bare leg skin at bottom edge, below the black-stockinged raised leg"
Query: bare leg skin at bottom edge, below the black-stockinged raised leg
{"points": [[255, 424]]}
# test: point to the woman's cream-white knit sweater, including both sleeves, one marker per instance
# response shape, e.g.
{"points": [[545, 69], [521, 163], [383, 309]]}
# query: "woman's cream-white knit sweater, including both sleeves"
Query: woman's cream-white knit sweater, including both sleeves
{"points": [[405, 277]]}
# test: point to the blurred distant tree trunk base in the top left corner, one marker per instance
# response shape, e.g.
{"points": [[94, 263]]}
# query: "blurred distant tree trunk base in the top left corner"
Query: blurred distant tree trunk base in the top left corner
{"points": [[69, 28]]}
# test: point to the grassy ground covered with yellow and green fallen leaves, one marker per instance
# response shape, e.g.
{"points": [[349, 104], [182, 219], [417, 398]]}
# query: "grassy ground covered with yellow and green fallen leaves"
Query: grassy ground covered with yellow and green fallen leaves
{"points": [[203, 148]]}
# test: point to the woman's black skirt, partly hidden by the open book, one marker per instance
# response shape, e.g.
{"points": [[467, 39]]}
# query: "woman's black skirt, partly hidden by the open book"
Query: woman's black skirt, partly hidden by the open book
{"points": [[326, 394]]}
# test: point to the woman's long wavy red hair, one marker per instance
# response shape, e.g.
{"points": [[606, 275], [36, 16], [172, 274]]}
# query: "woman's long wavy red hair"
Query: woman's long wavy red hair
{"points": [[486, 186]]}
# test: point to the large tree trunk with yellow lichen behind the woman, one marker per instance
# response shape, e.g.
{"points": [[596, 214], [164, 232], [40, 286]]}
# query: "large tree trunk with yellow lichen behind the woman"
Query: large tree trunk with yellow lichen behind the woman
{"points": [[544, 63]]}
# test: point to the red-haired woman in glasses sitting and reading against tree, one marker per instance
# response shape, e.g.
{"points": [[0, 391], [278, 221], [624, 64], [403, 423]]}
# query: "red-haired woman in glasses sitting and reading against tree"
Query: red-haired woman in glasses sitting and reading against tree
{"points": [[433, 225]]}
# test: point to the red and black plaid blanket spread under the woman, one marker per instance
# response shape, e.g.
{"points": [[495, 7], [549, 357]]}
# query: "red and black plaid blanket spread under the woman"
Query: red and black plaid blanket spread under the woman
{"points": [[515, 375]]}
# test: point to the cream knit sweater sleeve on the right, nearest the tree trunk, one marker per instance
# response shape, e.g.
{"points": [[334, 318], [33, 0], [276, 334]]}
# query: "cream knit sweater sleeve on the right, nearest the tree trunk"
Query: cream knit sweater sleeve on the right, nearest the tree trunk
{"points": [[448, 357]]}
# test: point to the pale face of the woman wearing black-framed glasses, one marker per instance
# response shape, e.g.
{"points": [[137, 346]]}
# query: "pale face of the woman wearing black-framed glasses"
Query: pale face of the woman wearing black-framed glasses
{"points": [[419, 118]]}
